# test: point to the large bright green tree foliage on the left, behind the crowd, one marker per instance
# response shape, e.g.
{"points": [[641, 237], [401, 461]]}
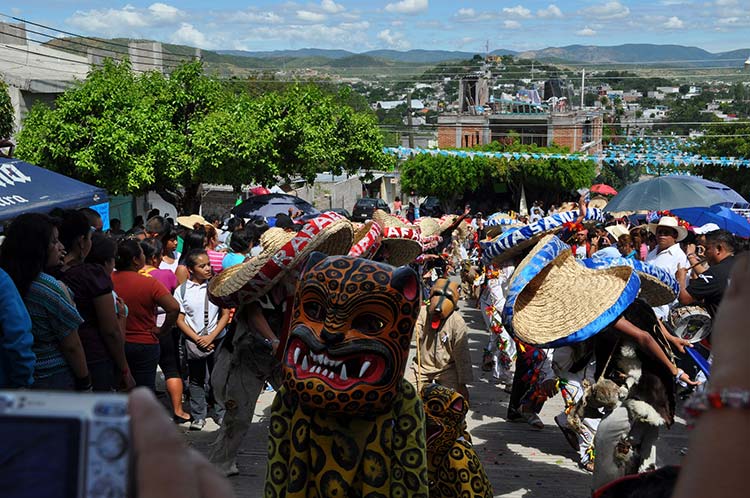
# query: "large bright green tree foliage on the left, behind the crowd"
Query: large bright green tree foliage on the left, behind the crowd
{"points": [[133, 133]]}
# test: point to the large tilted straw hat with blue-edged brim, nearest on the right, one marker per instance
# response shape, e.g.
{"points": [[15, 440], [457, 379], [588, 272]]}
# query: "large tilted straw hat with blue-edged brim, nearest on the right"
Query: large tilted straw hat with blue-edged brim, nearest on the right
{"points": [[553, 300]]}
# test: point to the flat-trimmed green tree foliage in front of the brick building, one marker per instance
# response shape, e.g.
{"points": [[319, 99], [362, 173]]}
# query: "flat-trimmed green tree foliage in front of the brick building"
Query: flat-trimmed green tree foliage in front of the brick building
{"points": [[450, 176]]}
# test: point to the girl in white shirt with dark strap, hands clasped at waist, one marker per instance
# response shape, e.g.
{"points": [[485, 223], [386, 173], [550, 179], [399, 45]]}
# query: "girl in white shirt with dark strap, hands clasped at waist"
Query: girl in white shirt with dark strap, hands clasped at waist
{"points": [[203, 324]]}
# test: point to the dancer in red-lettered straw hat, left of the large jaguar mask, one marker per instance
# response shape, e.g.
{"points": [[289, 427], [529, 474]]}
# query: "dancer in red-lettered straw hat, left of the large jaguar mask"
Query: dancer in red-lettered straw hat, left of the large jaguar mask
{"points": [[262, 290]]}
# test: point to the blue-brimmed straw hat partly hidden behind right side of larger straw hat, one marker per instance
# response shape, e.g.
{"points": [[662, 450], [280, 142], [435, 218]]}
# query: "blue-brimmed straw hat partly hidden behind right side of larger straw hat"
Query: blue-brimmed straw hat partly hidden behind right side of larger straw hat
{"points": [[658, 287]]}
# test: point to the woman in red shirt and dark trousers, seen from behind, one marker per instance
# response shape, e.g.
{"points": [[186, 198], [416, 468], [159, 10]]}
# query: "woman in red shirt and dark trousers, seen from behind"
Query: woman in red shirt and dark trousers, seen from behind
{"points": [[142, 295]]}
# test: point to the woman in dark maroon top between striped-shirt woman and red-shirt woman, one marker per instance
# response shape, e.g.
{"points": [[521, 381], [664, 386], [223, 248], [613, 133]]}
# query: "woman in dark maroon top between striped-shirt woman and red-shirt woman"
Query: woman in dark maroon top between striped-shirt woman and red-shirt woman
{"points": [[92, 288]]}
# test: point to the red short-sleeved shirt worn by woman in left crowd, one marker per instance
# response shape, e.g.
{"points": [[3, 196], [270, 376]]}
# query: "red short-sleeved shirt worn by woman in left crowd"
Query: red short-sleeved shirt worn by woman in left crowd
{"points": [[140, 294]]}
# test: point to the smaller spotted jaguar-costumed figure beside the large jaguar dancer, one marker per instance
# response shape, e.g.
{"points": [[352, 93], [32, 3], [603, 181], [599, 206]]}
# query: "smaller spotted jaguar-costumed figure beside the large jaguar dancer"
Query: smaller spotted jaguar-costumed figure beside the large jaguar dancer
{"points": [[454, 469]]}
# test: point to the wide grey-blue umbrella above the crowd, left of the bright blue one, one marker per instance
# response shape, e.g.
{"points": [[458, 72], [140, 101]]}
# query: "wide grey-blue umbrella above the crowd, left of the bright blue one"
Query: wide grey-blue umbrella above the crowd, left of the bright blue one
{"points": [[667, 193]]}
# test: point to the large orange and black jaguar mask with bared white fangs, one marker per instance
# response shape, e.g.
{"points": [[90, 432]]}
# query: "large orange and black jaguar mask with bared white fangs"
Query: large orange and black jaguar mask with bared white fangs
{"points": [[350, 334]]}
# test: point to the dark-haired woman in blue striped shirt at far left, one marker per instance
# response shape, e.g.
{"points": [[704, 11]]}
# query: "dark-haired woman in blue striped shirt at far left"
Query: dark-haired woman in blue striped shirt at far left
{"points": [[30, 250]]}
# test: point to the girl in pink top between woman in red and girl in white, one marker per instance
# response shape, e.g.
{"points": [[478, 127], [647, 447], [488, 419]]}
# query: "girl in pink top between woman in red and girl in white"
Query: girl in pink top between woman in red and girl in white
{"points": [[168, 343]]}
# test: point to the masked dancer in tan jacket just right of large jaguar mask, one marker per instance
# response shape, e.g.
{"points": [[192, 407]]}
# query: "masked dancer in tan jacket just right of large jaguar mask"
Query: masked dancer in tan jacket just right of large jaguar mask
{"points": [[442, 341]]}
